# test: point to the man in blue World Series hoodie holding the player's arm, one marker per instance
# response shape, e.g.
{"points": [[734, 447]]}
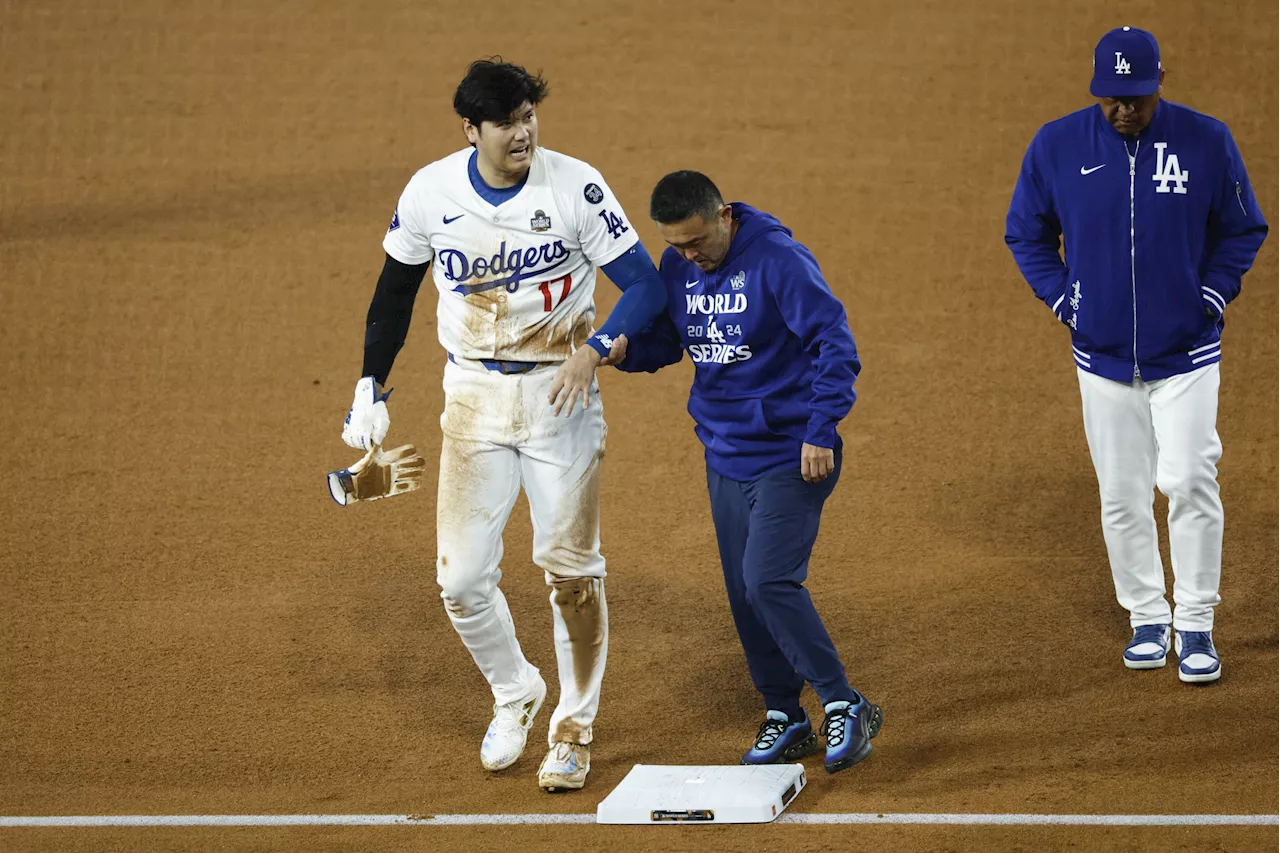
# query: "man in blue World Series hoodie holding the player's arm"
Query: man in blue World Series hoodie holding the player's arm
{"points": [[775, 370]]}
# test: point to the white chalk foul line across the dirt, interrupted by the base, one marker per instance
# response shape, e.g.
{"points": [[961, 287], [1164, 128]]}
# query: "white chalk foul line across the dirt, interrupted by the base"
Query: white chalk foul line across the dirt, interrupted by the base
{"points": [[541, 820]]}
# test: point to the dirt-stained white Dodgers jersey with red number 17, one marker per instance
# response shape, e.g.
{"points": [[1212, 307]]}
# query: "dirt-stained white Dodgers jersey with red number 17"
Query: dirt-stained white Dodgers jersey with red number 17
{"points": [[516, 281]]}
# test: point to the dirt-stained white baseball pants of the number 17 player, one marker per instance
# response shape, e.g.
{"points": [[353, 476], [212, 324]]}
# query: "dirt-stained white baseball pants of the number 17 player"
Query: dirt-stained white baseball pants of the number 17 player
{"points": [[500, 434]]}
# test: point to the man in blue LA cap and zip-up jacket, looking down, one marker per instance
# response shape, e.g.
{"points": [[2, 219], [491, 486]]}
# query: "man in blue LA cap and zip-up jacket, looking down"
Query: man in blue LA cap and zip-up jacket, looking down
{"points": [[1160, 225]]}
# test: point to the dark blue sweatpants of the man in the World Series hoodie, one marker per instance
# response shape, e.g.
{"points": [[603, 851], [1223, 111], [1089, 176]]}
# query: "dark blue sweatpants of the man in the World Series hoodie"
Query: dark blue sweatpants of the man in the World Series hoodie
{"points": [[766, 532]]}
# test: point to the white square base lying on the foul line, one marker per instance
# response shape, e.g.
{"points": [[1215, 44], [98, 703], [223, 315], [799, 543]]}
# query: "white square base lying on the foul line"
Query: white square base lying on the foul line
{"points": [[716, 795]]}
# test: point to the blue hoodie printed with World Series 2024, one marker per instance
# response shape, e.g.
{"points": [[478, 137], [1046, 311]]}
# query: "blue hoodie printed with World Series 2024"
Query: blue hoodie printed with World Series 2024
{"points": [[775, 361]]}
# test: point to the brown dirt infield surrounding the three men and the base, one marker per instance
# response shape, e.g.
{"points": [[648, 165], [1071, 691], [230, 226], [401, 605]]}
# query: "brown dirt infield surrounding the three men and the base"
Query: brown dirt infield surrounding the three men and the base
{"points": [[193, 200]]}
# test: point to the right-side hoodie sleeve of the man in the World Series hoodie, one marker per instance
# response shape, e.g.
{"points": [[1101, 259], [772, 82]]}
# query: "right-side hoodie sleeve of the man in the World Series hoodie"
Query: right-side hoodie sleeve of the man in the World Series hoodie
{"points": [[813, 314]]}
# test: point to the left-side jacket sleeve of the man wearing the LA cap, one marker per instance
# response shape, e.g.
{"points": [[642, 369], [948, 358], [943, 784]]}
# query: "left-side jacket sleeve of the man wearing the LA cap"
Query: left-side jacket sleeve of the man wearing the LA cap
{"points": [[1035, 234]]}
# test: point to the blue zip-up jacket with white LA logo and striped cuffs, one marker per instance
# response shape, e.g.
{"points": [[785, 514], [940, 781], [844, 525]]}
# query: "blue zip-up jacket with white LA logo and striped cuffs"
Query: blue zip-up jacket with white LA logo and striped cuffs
{"points": [[1160, 229]]}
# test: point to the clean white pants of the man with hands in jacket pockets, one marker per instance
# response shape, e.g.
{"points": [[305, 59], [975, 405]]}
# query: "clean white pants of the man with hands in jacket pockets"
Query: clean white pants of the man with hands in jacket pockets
{"points": [[1164, 435]]}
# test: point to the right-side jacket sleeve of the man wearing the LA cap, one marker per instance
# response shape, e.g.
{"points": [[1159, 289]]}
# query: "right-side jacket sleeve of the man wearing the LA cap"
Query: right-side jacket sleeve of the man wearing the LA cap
{"points": [[1236, 232]]}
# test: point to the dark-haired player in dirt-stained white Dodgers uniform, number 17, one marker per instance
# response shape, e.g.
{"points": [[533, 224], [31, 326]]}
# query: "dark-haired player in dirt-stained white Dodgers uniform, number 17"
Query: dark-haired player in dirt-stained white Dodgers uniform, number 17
{"points": [[514, 235]]}
